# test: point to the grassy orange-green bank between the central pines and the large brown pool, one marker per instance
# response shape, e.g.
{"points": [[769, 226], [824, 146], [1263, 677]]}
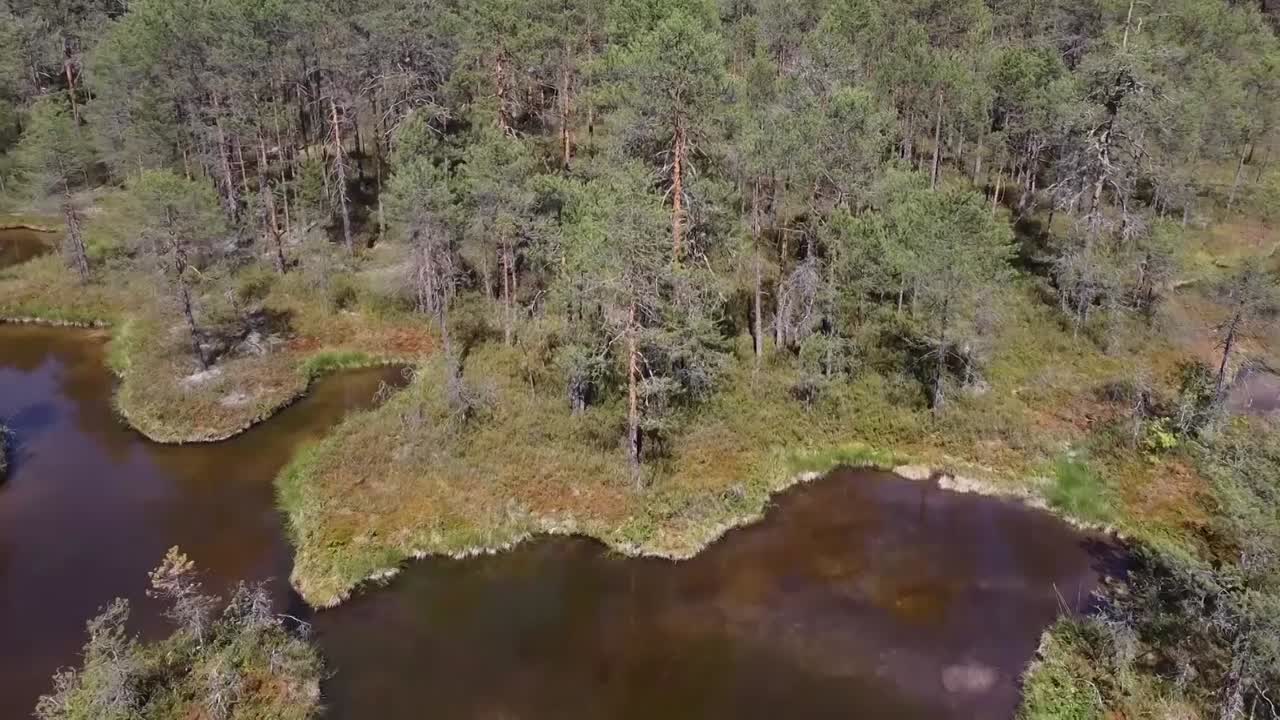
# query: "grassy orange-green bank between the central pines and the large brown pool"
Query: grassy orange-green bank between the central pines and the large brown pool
{"points": [[410, 479]]}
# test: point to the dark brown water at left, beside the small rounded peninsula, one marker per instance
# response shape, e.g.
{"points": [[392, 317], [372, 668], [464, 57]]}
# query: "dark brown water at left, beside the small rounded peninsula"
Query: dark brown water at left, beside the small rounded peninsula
{"points": [[90, 507]]}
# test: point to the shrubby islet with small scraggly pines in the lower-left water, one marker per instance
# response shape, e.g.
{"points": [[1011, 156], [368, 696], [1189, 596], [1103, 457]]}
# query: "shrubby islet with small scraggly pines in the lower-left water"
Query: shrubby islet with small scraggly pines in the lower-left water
{"points": [[239, 663]]}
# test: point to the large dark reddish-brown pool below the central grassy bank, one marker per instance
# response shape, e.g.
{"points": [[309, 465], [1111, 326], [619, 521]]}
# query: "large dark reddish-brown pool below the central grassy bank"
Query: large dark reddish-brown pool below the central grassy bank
{"points": [[861, 596]]}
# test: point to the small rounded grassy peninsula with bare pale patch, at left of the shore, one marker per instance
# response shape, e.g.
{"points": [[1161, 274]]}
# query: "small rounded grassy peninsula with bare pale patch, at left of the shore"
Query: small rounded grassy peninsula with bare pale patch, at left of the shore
{"points": [[275, 336]]}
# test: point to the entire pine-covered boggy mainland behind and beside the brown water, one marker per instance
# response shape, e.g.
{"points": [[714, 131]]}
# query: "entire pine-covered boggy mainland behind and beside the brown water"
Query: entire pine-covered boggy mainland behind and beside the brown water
{"points": [[655, 261]]}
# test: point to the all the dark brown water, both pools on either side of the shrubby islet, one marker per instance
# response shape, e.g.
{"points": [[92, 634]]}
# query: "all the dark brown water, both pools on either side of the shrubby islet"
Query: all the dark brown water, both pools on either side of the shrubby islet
{"points": [[861, 596]]}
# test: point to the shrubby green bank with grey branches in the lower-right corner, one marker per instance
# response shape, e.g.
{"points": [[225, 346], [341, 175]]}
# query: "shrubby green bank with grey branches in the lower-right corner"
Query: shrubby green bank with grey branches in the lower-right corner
{"points": [[1190, 636]]}
